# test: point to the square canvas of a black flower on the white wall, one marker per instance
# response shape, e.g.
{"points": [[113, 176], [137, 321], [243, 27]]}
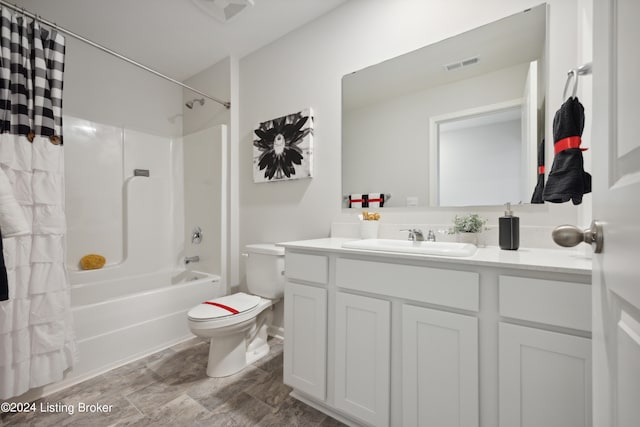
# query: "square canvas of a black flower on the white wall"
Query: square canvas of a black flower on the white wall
{"points": [[283, 148]]}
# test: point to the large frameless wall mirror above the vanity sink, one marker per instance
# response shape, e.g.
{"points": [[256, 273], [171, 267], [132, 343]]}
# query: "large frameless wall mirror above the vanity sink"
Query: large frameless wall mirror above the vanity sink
{"points": [[456, 123]]}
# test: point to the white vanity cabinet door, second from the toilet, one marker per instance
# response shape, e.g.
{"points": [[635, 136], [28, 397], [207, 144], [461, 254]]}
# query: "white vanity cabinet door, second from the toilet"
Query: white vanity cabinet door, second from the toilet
{"points": [[362, 357]]}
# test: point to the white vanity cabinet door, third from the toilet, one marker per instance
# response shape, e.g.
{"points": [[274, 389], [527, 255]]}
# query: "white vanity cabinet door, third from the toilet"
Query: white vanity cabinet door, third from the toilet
{"points": [[439, 368]]}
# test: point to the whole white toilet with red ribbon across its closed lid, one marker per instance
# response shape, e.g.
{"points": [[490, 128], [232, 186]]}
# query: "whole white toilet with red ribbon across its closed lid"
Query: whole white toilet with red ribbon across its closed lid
{"points": [[237, 324]]}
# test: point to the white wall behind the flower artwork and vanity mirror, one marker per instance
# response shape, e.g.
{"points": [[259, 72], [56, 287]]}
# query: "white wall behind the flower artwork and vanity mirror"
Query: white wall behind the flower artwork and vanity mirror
{"points": [[304, 69]]}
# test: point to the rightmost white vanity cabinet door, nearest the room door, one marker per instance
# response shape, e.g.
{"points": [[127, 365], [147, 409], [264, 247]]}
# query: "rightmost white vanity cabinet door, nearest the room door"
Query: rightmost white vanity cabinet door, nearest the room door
{"points": [[545, 378]]}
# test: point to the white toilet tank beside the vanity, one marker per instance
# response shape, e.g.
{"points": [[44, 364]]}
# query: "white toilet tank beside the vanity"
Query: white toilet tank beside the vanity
{"points": [[265, 270]]}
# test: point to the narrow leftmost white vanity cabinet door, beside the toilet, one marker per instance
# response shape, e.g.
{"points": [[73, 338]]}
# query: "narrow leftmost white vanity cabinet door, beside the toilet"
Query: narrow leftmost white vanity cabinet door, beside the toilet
{"points": [[305, 339]]}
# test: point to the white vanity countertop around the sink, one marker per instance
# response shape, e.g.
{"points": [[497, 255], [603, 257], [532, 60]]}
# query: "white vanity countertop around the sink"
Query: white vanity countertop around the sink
{"points": [[556, 260]]}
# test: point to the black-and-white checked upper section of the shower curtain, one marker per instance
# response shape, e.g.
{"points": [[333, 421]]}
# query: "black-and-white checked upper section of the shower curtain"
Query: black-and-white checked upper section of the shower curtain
{"points": [[31, 77]]}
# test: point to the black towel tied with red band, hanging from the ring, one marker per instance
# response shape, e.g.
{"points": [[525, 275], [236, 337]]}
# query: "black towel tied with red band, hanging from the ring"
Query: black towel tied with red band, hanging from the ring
{"points": [[567, 179]]}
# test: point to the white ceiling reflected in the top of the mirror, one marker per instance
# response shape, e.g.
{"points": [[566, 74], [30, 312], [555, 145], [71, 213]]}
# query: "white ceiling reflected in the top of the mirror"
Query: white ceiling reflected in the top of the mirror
{"points": [[513, 40]]}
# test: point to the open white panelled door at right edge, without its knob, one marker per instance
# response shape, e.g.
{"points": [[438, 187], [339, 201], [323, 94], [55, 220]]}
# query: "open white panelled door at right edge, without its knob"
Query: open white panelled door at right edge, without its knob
{"points": [[616, 197]]}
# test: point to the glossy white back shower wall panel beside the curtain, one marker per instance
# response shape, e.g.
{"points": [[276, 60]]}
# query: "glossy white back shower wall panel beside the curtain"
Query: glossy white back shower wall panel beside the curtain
{"points": [[110, 212]]}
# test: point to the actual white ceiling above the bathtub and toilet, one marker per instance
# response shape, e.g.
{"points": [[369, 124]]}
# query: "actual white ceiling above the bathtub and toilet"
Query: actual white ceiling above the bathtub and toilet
{"points": [[176, 37]]}
